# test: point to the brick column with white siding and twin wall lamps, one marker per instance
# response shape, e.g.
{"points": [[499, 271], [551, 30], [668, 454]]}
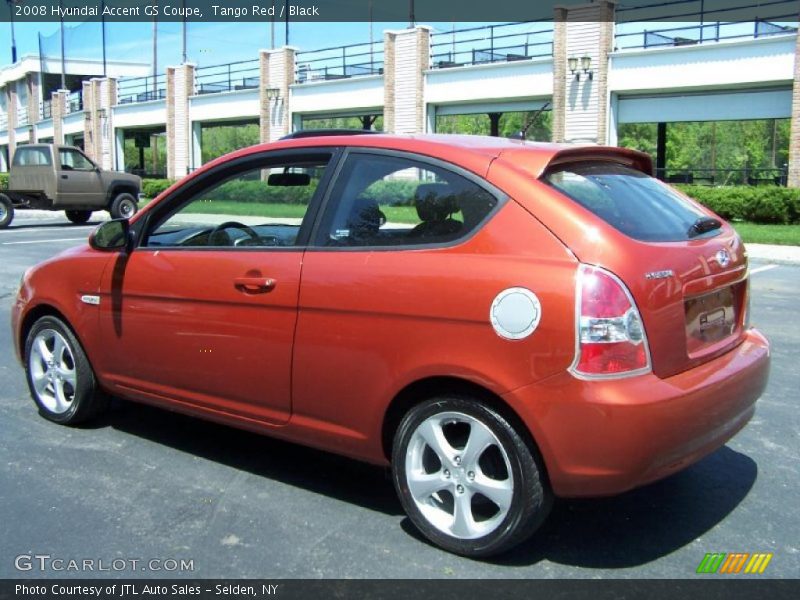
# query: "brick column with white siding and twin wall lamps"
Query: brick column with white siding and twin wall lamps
{"points": [[580, 104]]}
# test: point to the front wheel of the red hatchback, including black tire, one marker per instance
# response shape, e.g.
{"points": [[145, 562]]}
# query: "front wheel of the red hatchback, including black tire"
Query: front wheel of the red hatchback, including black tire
{"points": [[60, 378]]}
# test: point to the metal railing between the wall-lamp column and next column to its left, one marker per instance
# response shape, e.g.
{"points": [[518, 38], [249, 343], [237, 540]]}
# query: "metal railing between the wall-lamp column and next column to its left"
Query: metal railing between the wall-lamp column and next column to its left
{"points": [[505, 42]]}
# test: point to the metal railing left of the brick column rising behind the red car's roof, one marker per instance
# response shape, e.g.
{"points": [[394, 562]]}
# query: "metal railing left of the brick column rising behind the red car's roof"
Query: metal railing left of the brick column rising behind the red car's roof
{"points": [[340, 62]]}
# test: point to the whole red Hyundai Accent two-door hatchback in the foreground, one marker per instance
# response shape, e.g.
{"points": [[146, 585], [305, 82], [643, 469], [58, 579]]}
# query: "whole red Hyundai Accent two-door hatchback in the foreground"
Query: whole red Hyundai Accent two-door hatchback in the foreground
{"points": [[501, 322]]}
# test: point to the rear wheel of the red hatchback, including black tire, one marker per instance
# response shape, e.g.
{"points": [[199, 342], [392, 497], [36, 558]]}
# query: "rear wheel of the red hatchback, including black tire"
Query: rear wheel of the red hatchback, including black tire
{"points": [[506, 461]]}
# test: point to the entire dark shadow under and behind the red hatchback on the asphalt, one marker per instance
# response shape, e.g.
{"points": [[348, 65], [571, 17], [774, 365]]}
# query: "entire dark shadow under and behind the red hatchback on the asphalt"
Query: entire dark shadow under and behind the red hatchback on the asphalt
{"points": [[622, 531]]}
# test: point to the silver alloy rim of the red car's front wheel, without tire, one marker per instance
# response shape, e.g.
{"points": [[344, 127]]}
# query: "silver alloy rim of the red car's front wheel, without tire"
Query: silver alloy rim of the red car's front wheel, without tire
{"points": [[52, 369]]}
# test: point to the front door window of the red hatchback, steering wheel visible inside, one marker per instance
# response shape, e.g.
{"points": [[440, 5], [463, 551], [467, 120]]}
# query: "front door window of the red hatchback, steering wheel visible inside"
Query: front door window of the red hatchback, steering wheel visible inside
{"points": [[260, 207]]}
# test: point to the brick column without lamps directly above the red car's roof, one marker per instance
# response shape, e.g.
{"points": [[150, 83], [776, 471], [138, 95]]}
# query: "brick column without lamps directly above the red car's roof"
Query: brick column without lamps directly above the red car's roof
{"points": [[406, 57]]}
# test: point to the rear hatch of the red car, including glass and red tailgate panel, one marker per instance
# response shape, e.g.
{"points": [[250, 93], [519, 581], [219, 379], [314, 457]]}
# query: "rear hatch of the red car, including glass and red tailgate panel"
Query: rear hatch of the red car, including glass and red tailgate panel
{"points": [[685, 269]]}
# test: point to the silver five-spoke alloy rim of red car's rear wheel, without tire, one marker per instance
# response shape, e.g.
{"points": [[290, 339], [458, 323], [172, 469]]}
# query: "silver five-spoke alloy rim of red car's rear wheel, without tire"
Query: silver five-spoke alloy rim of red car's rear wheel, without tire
{"points": [[460, 497]]}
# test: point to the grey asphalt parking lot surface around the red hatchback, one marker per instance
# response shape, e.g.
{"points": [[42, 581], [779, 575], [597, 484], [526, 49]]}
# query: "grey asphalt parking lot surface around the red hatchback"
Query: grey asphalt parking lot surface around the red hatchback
{"points": [[144, 484]]}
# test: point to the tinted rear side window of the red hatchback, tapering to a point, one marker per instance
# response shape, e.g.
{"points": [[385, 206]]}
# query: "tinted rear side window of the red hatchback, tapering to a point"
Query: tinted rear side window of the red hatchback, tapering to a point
{"points": [[381, 200]]}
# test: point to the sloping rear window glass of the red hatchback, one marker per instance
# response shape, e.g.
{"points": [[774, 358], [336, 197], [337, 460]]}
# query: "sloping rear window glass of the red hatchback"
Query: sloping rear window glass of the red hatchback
{"points": [[634, 203]]}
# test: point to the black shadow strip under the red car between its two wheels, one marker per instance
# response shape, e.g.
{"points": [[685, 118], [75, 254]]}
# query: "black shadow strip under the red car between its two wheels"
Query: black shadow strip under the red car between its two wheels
{"points": [[320, 472]]}
